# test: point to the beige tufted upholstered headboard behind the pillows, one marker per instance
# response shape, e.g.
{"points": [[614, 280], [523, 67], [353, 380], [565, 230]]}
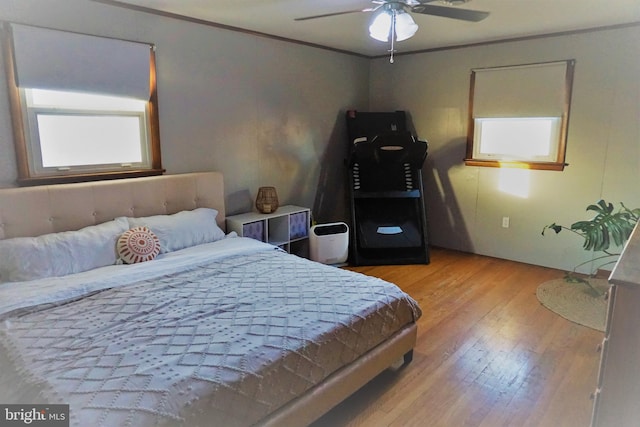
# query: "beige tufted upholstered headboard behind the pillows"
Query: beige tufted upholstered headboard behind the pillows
{"points": [[32, 211]]}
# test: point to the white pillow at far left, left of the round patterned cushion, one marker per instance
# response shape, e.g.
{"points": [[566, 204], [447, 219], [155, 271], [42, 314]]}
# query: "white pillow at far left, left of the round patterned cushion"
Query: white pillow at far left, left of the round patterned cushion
{"points": [[59, 254]]}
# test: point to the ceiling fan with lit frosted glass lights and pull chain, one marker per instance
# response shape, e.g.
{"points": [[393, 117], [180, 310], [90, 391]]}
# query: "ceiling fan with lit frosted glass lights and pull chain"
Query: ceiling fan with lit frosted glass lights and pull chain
{"points": [[393, 23]]}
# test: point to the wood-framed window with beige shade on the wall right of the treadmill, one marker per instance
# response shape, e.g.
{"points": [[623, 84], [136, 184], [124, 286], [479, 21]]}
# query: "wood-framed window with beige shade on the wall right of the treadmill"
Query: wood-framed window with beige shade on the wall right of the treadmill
{"points": [[519, 116]]}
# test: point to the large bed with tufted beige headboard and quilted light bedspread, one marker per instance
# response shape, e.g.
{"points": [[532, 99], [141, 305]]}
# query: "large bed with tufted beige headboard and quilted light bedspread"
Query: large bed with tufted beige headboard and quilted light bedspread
{"points": [[227, 331]]}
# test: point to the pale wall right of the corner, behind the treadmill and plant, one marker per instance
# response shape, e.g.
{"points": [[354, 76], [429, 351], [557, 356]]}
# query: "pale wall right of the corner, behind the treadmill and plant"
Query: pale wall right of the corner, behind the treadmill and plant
{"points": [[465, 203]]}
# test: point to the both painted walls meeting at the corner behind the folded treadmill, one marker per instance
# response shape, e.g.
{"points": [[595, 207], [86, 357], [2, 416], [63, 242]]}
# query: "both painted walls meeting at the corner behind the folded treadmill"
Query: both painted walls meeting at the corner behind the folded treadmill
{"points": [[266, 112]]}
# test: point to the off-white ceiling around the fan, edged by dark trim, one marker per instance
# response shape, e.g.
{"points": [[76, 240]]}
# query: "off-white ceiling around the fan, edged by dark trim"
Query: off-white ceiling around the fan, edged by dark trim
{"points": [[508, 19]]}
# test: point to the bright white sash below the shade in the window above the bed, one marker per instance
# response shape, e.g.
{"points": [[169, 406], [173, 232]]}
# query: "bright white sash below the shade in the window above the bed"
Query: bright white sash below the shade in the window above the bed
{"points": [[70, 131]]}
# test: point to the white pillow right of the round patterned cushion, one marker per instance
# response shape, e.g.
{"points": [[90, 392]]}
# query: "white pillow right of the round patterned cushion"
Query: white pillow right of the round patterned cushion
{"points": [[183, 229]]}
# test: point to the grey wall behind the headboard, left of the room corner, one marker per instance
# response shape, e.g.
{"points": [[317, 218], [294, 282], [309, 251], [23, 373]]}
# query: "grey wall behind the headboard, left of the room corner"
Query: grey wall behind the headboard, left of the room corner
{"points": [[262, 111]]}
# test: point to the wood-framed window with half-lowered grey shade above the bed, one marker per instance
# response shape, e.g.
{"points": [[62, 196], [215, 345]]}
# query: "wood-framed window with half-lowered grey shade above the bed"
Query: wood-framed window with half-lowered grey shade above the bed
{"points": [[91, 114]]}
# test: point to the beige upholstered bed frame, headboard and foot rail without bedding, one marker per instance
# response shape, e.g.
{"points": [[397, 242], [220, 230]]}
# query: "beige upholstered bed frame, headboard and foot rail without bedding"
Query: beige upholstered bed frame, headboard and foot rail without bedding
{"points": [[33, 211]]}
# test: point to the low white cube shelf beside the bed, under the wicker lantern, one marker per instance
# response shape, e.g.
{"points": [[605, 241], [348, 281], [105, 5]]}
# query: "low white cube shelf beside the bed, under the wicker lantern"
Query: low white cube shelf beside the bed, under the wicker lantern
{"points": [[286, 225]]}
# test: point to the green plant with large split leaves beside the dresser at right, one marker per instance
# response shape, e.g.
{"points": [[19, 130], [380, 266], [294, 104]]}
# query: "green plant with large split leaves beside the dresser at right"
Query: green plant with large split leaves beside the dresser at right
{"points": [[608, 226]]}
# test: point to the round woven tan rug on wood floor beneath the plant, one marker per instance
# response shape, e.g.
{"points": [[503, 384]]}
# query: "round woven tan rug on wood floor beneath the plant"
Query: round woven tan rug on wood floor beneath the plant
{"points": [[576, 302]]}
